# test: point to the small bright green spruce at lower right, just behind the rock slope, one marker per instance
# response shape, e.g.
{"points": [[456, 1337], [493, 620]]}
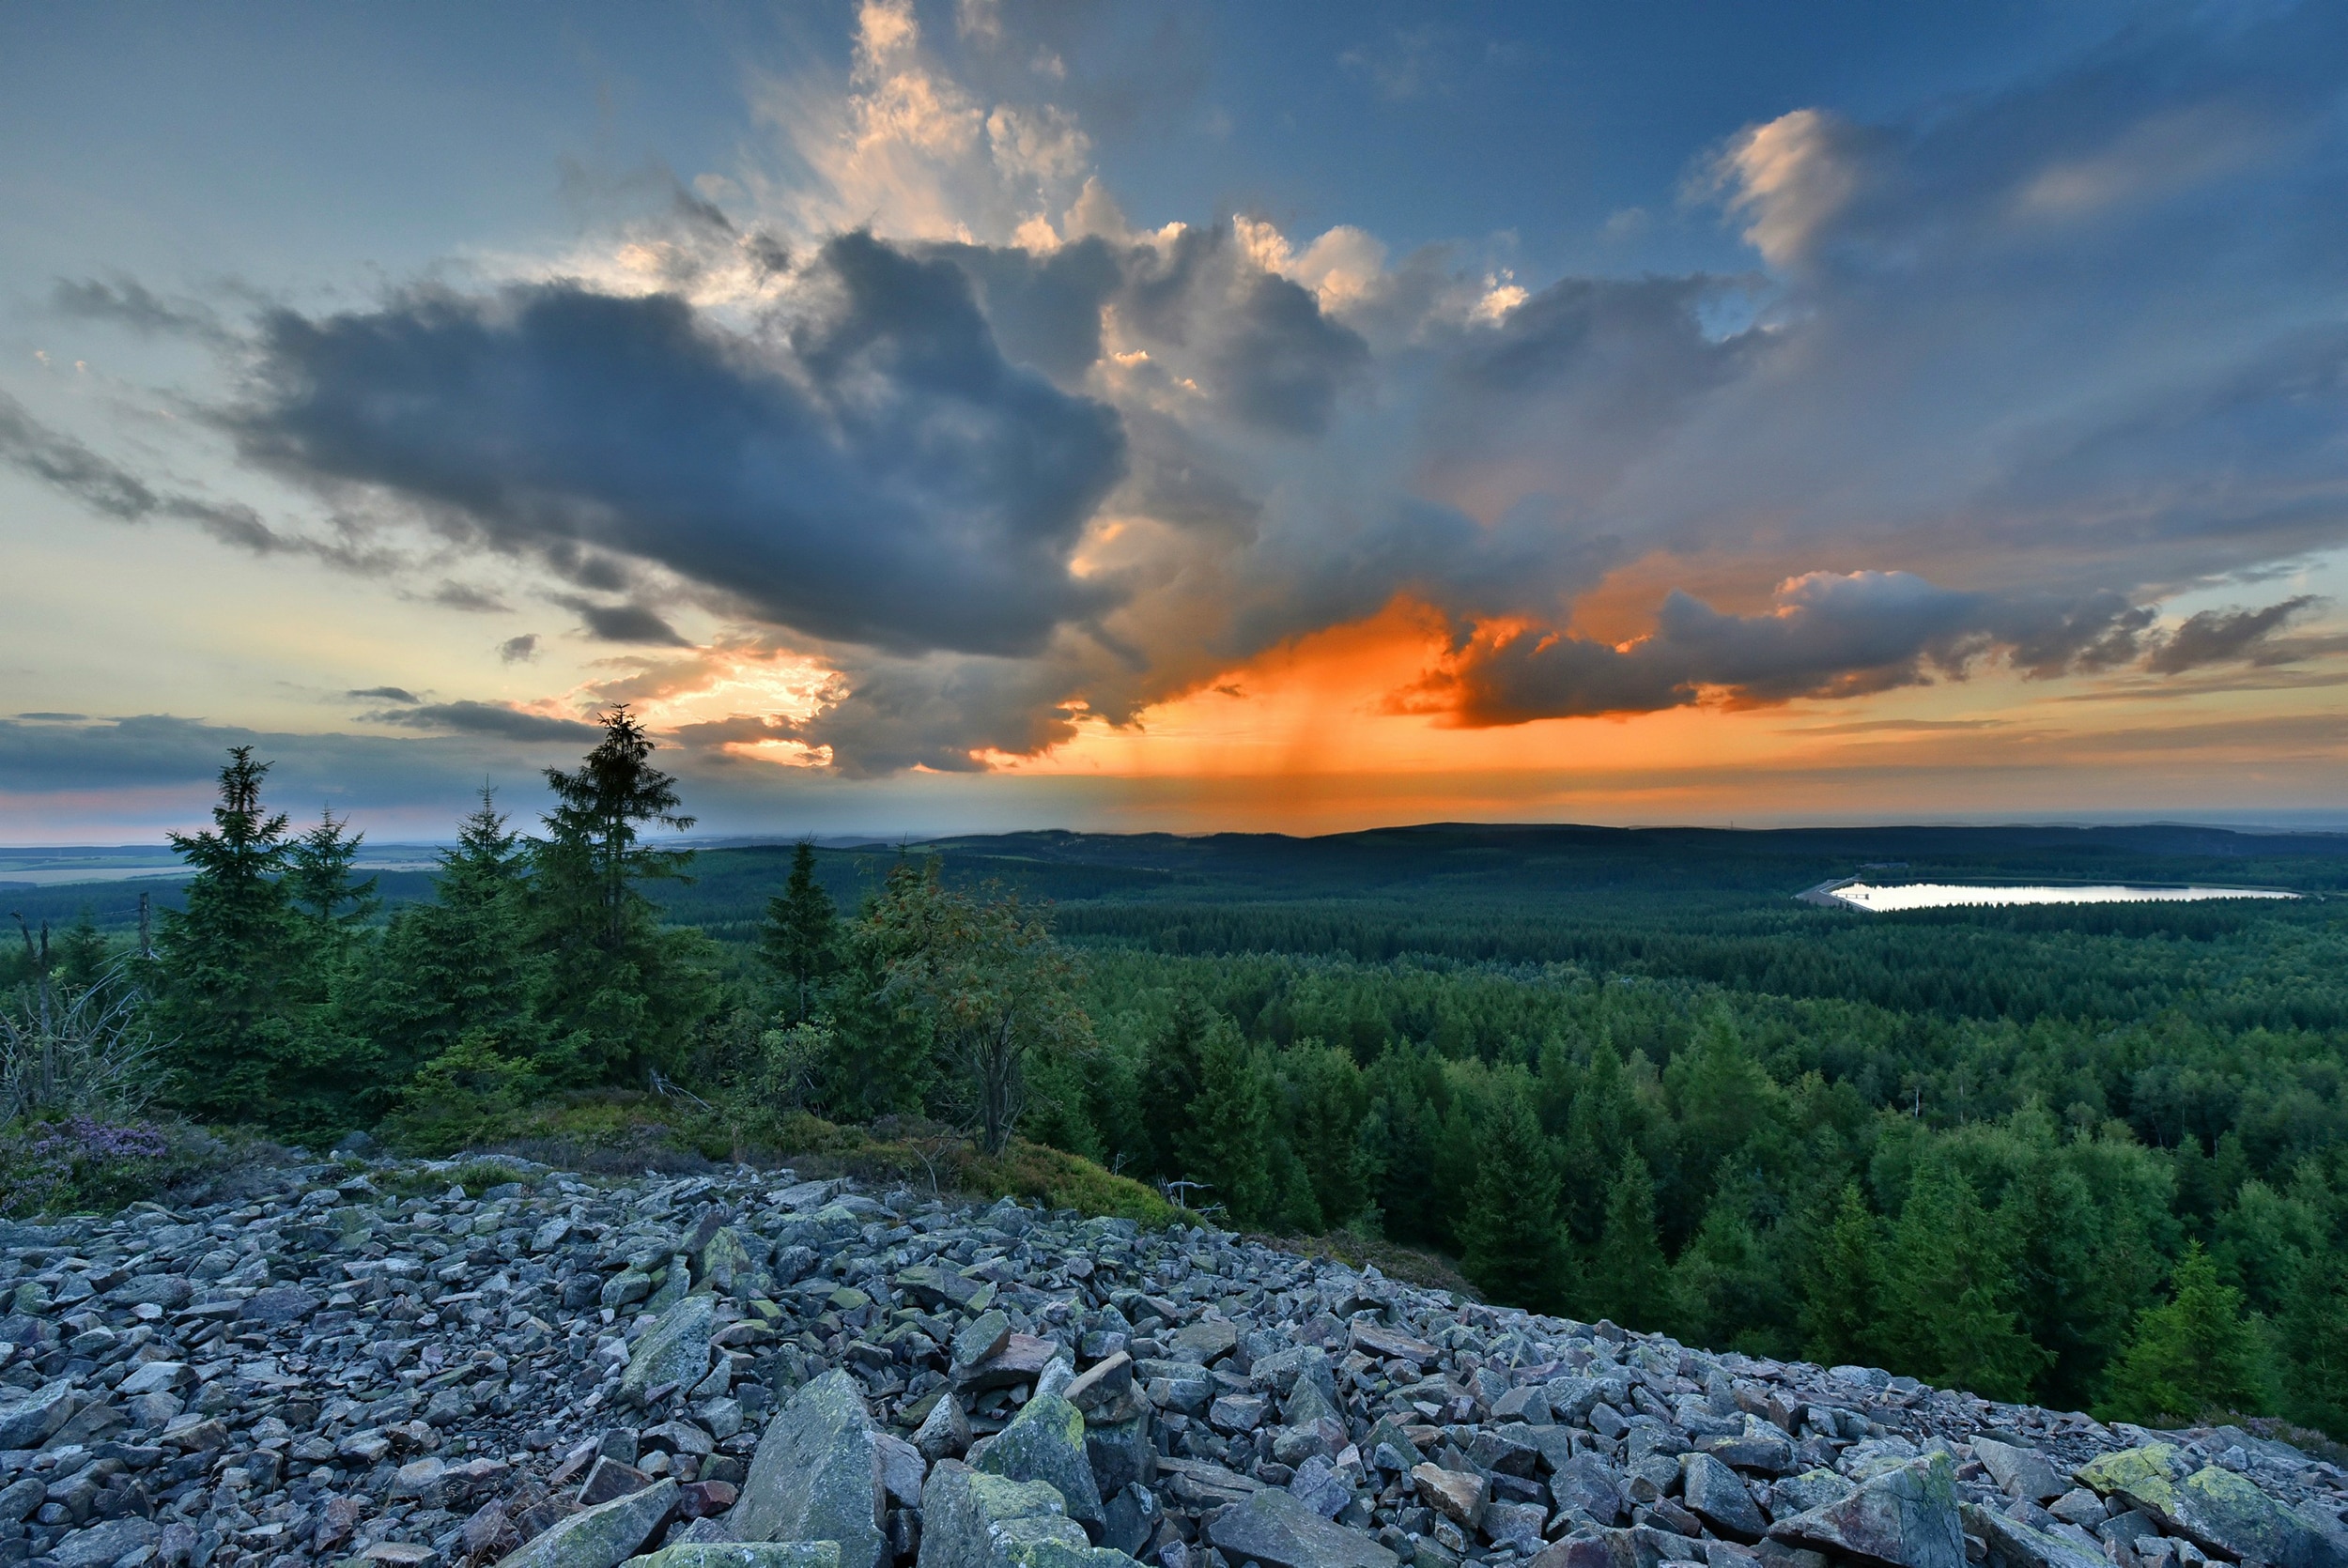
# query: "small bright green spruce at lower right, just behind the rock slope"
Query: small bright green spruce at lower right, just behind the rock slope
{"points": [[2197, 1356]]}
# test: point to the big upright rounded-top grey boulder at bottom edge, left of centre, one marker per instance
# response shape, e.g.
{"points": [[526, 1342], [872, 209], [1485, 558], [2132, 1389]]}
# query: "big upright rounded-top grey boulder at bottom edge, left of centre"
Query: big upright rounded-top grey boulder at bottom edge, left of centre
{"points": [[818, 1475]]}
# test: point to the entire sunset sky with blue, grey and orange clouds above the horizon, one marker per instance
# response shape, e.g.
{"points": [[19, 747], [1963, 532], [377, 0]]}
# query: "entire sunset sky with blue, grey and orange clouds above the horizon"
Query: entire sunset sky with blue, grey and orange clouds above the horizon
{"points": [[1194, 417]]}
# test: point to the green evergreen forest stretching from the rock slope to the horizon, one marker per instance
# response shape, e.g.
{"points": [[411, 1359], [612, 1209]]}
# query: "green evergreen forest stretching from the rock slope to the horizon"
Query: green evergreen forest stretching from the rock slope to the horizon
{"points": [[2096, 1156]]}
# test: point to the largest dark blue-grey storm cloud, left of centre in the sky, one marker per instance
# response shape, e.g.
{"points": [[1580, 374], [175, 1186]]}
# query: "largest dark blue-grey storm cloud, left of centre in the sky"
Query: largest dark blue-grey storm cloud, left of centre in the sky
{"points": [[879, 475]]}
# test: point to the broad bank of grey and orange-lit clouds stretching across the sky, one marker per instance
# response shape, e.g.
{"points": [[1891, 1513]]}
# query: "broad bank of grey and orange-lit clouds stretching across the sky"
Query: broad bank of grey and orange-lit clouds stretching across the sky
{"points": [[2004, 379]]}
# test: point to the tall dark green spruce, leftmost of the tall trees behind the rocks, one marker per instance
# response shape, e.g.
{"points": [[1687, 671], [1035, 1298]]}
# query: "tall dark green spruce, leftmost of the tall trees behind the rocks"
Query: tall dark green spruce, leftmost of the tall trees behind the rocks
{"points": [[231, 964]]}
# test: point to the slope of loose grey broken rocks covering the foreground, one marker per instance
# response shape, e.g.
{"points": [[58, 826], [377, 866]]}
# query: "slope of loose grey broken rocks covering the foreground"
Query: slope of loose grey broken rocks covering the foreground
{"points": [[757, 1372]]}
